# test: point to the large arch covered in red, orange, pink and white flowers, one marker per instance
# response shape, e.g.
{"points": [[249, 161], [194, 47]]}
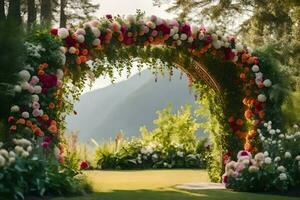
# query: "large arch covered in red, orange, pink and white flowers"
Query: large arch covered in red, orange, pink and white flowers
{"points": [[238, 81]]}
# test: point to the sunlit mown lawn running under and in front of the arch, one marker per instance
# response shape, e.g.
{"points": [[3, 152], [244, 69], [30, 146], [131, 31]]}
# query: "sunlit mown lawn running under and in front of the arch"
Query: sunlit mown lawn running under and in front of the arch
{"points": [[158, 185]]}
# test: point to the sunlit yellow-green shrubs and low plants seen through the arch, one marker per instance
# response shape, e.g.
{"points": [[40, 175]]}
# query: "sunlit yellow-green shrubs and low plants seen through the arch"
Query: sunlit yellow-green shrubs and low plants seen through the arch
{"points": [[172, 144]]}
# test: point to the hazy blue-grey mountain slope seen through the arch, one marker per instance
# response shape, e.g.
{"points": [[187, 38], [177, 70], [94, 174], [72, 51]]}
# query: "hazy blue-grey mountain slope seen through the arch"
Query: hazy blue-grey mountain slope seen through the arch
{"points": [[127, 105]]}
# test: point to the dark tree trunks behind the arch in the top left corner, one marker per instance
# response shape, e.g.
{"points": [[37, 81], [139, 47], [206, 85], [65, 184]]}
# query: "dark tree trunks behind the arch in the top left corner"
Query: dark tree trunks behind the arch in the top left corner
{"points": [[46, 11]]}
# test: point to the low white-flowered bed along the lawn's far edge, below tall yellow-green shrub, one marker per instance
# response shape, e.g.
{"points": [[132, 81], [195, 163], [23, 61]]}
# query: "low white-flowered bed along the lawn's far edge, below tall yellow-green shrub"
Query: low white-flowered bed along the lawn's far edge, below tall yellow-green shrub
{"points": [[141, 154]]}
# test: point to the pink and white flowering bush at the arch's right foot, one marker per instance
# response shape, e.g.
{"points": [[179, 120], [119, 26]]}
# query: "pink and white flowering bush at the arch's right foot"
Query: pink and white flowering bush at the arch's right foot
{"points": [[277, 168]]}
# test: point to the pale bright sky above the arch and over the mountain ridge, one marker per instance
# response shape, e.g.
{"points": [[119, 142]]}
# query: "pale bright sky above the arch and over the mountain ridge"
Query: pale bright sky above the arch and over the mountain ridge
{"points": [[125, 7]]}
